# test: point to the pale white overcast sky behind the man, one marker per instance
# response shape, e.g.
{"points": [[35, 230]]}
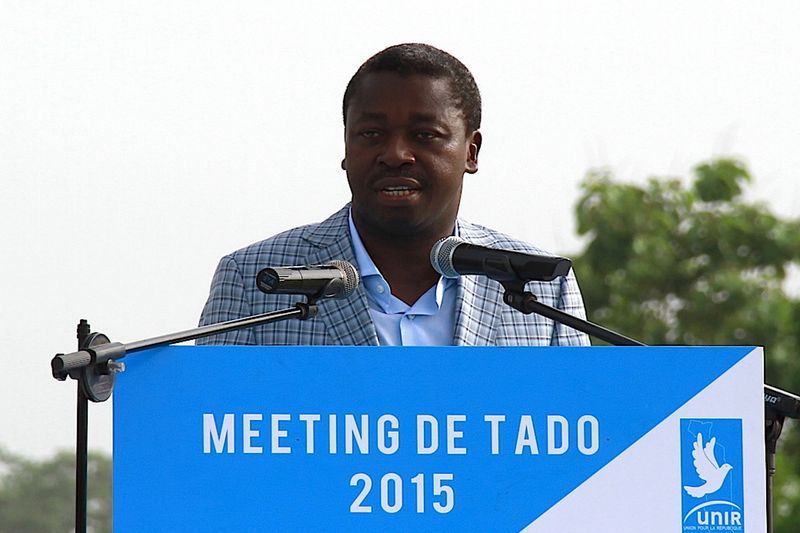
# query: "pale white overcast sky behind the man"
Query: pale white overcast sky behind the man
{"points": [[141, 141]]}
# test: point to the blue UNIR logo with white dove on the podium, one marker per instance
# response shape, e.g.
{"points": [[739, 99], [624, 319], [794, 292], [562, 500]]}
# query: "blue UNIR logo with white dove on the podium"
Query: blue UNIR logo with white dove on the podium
{"points": [[712, 491]]}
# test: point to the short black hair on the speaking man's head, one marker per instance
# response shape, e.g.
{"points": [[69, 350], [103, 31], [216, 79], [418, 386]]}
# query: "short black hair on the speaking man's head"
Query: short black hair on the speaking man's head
{"points": [[416, 58]]}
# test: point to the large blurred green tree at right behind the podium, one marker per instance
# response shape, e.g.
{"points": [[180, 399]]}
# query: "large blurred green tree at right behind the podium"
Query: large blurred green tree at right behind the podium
{"points": [[697, 264]]}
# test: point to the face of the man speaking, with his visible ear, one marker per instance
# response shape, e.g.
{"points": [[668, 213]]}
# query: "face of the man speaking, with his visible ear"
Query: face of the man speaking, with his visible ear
{"points": [[406, 151]]}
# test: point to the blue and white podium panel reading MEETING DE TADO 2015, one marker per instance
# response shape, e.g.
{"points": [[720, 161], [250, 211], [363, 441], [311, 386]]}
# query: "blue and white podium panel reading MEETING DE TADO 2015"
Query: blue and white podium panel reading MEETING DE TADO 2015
{"points": [[440, 439]]}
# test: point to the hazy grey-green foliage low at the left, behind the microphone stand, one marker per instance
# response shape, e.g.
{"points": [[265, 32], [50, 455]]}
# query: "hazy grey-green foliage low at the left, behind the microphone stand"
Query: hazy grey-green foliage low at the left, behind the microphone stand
{"points": [[38, 496]]}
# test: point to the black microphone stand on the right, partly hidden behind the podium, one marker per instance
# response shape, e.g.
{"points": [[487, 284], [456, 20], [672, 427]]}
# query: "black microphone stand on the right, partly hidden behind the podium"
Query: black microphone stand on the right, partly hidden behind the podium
{"points": [[779, 404]]}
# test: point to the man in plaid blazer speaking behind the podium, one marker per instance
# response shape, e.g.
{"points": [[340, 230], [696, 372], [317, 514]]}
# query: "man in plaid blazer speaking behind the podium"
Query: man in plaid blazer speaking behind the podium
{"points": [[412, 116]]}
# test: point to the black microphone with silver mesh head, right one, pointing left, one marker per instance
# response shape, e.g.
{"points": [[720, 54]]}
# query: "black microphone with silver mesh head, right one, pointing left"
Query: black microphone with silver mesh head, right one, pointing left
{"points": [[452, 257]]}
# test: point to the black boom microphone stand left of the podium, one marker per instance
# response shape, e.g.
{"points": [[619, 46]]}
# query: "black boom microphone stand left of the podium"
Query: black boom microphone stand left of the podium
{"points": [[96, 363]]}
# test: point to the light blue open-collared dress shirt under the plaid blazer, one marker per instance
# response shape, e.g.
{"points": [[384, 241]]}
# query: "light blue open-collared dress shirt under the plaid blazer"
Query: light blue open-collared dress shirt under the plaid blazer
{"points": [[430, 321]]}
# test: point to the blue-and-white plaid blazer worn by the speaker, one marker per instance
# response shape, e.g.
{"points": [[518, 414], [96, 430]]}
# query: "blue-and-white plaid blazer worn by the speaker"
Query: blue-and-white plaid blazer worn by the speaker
{"points": [[482, 319]]}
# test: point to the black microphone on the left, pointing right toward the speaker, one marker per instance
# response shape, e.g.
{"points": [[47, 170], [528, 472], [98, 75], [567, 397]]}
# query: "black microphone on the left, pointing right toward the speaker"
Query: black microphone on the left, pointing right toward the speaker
{"points": [[335, 279]]}
